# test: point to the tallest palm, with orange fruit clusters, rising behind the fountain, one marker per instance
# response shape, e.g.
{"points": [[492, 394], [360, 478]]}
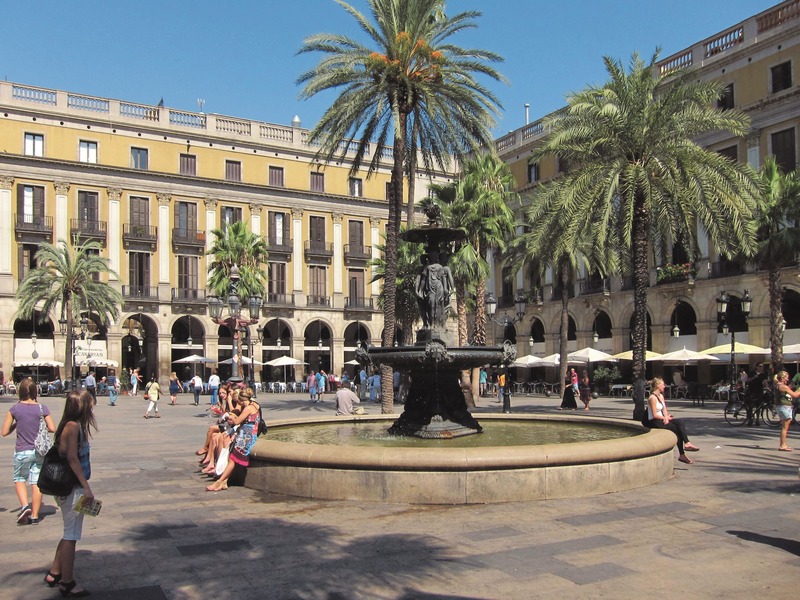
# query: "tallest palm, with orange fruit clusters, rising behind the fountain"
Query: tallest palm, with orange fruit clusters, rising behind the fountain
{"points": [[412, 68]]}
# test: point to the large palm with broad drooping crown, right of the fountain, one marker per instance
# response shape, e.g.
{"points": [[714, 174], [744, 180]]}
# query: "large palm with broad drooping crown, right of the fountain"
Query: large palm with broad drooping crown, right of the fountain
{"points": [[636, 173]]}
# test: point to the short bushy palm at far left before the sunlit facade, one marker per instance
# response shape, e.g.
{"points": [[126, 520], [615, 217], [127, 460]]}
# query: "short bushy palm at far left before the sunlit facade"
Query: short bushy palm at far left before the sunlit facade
{"points": [[66, 281]]}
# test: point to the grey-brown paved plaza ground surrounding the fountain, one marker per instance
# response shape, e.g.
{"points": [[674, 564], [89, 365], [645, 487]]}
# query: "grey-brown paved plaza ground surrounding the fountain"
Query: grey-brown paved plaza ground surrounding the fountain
{"points": [[726, 527]]}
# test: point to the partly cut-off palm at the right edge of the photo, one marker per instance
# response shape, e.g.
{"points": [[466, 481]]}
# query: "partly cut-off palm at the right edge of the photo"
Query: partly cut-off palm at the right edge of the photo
{"points": [[778, 239]]}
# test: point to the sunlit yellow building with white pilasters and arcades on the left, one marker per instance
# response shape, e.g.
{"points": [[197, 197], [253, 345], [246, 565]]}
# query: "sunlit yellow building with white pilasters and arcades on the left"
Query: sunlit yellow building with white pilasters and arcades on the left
{"points": [[150, 183]]}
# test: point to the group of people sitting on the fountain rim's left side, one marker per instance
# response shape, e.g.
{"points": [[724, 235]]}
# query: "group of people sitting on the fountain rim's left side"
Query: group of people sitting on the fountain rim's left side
{"points": [[229, 441]]}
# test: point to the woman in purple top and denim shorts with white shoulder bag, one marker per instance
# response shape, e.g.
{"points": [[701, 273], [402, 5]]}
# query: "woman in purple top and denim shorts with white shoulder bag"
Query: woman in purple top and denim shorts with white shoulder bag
{"points": [[24, 418]]}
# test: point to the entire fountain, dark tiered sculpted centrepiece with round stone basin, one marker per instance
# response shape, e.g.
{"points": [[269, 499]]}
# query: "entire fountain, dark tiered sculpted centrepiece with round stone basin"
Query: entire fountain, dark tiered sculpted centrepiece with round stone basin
{"points": [[325, 461]]}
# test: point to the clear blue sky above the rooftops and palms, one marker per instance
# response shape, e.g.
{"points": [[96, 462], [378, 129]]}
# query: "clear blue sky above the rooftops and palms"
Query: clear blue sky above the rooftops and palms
{"points": [[240, 55]]}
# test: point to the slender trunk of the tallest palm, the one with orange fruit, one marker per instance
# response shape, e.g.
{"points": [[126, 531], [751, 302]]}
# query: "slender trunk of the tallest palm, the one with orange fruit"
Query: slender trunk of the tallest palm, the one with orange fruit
{"points": [[390, 276]]}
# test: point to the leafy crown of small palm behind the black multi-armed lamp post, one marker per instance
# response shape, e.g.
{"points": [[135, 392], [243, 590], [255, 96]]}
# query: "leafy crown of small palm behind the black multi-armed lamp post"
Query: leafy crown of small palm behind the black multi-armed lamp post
{"points": [[235, 244]]}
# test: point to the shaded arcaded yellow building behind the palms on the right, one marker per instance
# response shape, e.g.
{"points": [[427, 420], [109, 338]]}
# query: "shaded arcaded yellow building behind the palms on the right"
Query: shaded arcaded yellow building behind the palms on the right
{"points": [[758, 60]]}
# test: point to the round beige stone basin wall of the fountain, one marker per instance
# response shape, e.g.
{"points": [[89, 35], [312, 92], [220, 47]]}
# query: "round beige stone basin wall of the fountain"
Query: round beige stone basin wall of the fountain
{"points": [[462, 475]]}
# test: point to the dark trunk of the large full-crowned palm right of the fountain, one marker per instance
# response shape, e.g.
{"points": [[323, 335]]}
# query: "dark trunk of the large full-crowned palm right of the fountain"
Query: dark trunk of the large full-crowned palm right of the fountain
{"points": [[641, 281]]}
